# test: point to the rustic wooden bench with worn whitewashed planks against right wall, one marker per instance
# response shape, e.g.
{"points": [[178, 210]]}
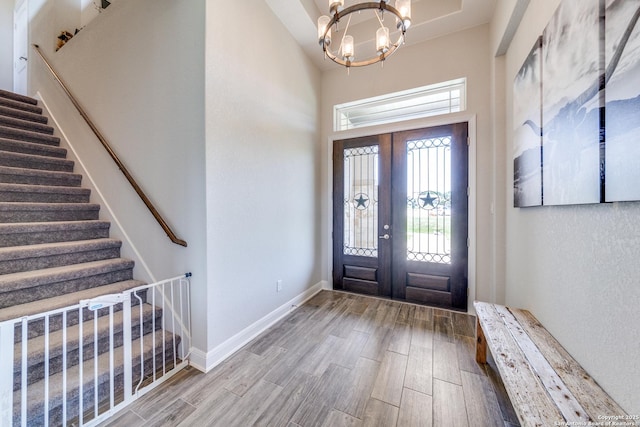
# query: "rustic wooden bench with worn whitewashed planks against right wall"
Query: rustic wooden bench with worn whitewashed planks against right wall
{"points": [[547, 387]]}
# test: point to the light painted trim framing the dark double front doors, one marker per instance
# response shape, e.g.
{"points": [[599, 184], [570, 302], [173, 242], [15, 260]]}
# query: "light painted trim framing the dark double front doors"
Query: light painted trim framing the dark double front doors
{"points": [[398, 127]]}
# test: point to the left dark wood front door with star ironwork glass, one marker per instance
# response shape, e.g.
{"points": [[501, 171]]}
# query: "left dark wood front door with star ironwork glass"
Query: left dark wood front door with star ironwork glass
{"points": [[362, 214]]}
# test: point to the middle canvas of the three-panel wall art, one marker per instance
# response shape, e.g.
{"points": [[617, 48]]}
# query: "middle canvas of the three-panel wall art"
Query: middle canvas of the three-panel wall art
{"points": [[572, 66]]}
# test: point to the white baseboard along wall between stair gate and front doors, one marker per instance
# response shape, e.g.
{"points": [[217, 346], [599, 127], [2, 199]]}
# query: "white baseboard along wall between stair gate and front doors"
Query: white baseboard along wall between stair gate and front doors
{"points": [[205, 361]]}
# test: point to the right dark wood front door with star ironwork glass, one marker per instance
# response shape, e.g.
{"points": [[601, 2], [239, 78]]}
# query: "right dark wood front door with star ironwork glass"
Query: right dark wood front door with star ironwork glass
{"points": [[430, 215]]}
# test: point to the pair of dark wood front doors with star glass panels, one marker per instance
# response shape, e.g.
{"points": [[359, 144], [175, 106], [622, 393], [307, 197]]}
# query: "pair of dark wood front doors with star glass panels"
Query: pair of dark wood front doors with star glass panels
{"points": [[401, 215]]}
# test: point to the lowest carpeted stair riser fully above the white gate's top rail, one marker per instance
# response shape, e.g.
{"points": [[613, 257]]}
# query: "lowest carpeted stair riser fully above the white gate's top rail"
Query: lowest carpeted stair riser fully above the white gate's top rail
{"points": [[50, 290]]}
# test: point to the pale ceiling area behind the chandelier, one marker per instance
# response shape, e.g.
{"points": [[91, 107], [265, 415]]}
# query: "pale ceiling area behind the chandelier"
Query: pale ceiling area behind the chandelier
{"points": [[429, 19]]}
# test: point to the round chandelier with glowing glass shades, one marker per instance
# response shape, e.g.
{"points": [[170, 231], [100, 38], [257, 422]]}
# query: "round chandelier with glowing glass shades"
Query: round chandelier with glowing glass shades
{"points": [[345, 52]]}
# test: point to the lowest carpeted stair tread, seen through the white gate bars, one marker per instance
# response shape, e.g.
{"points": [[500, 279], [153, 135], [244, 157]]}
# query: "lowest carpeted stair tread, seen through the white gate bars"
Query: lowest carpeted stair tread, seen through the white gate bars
{"points": [[140, 349]]}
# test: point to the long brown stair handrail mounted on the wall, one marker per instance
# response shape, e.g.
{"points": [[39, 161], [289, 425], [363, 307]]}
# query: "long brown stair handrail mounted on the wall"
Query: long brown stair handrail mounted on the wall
{"points": [[112, 153]]}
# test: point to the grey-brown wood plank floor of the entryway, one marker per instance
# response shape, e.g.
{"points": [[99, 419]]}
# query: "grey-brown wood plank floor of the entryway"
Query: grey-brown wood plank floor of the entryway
{"points": [[340, 360]]}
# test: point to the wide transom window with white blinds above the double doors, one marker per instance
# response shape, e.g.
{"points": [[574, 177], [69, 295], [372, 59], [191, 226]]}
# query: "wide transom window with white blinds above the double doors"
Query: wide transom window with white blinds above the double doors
{"points": [[426, 101]]}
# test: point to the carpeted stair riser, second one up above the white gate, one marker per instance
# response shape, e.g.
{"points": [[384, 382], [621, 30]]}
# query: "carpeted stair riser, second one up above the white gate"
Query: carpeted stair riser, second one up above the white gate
{"points": [[57, 260]]}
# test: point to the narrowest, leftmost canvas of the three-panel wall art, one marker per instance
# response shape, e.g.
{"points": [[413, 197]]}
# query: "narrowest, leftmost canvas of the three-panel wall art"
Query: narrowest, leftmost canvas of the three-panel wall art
{"points": [[527, 127]]}
